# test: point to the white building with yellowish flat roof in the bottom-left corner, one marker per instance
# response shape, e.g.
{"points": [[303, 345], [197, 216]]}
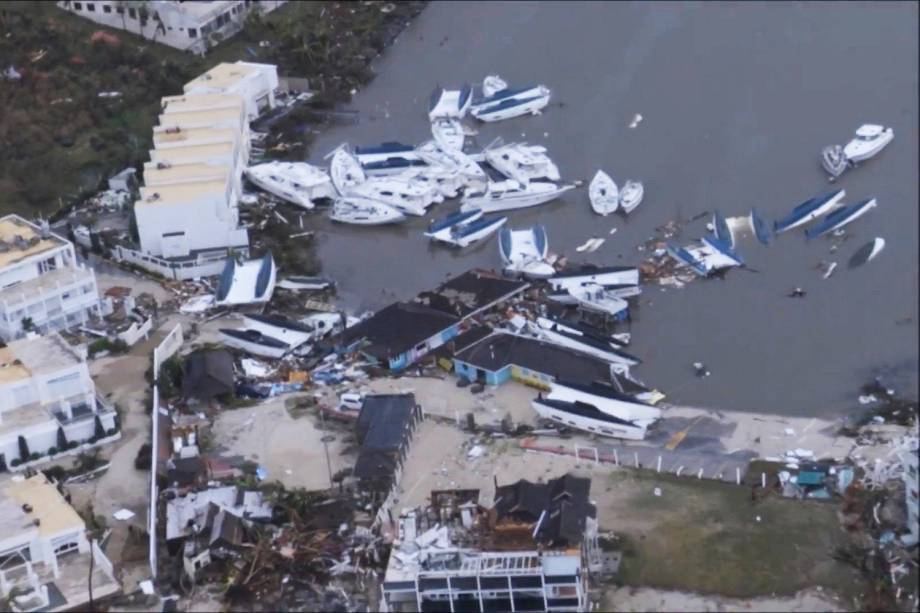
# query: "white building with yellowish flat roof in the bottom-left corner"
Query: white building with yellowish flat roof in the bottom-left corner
{"points": [[44, 551]]}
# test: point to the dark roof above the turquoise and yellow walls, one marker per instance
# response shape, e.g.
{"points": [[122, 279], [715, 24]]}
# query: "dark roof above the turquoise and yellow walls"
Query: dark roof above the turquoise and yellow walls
{"points": [[500, 349]]}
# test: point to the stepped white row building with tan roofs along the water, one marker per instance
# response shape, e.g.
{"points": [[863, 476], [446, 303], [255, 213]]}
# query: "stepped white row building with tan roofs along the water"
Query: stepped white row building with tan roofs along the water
{"points": [[187, 215]]}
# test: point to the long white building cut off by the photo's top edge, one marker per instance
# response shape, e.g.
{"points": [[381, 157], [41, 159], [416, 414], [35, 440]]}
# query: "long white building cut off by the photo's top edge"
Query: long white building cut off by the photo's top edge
{"points": [[190, 25]]}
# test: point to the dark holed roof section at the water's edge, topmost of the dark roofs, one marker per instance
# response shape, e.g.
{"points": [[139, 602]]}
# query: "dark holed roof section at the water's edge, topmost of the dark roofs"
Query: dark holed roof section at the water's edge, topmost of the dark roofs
{"points": [[471, 292]]}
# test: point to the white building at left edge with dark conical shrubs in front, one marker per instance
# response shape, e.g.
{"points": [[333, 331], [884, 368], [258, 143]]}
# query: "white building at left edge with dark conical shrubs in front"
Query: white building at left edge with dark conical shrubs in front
{"points": [[45, 385]]}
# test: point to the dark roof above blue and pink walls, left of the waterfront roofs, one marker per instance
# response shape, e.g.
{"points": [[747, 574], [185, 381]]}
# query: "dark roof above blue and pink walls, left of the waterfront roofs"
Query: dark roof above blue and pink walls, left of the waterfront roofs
{"points": [[396, 329]]}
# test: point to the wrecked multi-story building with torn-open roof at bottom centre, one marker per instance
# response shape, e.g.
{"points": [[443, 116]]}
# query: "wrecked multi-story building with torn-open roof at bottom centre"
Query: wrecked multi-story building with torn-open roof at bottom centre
{"points": [[530, 551]]}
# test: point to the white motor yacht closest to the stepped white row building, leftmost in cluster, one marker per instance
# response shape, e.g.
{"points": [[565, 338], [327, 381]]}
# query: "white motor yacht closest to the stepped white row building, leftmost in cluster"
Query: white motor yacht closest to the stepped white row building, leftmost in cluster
{"points": [[296, 182]]}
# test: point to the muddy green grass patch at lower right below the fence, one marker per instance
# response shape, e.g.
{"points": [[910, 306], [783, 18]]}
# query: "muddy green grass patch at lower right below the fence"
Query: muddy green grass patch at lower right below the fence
{"points": [[702, 536]]}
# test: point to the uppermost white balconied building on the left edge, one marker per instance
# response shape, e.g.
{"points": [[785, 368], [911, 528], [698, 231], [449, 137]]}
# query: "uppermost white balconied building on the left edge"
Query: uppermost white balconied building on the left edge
{"points": [[42, 287]]}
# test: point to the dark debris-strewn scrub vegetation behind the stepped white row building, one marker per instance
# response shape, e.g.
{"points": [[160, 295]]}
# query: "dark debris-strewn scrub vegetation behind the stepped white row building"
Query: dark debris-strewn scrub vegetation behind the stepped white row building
{"points": [[59, 140]]}
